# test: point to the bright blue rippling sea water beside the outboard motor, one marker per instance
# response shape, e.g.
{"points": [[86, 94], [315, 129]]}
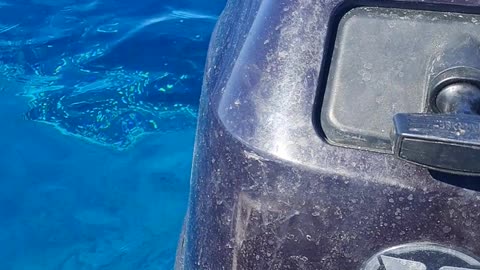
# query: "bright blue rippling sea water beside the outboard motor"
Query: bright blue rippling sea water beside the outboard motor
{"points": [[98, 103]]}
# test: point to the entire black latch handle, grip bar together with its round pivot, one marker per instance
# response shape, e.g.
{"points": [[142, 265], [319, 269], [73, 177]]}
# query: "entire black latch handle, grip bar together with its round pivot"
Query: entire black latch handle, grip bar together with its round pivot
{"points": [[446, 140]]}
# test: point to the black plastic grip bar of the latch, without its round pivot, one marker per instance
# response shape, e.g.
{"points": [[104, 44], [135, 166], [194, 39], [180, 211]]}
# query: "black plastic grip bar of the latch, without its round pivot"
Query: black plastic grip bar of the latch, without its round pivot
{"points": [[444, 142]]}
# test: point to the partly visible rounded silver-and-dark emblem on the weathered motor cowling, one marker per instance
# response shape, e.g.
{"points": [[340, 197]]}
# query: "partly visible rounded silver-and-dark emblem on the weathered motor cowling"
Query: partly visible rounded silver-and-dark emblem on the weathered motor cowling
{"points": [[422, 256]]}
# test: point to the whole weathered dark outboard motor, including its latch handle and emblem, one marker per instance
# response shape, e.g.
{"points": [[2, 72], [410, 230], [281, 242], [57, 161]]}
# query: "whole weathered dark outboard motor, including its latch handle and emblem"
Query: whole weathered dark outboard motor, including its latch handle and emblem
{"points": [[338, 135]]}
